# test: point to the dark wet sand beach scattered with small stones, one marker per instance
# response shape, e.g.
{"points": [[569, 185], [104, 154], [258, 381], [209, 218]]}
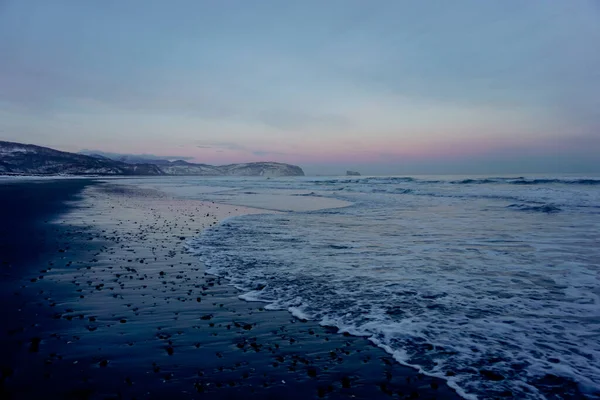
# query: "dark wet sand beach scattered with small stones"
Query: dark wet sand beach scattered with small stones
{"points": [[101, 300]]}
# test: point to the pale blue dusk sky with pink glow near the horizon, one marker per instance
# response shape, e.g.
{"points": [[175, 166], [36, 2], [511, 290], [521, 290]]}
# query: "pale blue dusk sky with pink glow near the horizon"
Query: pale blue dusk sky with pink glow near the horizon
{"points": [[382, 87]]}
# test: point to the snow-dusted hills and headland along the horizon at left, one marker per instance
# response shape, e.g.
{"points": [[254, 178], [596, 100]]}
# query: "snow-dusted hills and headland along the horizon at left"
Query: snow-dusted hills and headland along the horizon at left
{"points": [[27, 159]]}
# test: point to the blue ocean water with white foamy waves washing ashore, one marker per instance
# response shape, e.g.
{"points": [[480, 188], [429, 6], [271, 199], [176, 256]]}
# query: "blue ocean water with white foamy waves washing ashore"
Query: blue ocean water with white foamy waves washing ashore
{"points": [[492, 283]]}
